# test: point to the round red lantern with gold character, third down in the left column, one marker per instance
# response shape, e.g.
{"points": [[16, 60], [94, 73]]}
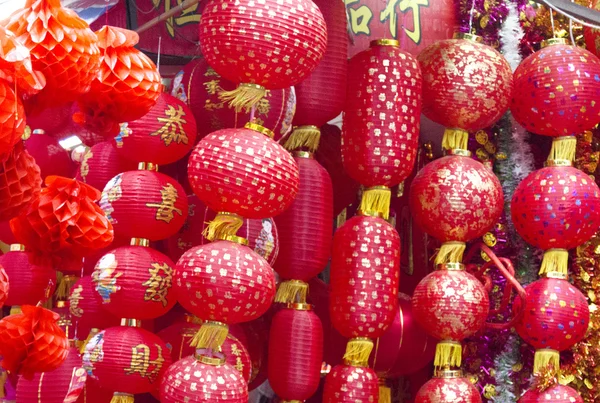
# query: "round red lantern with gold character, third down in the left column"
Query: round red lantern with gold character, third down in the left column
{"points": [[135, 282]]}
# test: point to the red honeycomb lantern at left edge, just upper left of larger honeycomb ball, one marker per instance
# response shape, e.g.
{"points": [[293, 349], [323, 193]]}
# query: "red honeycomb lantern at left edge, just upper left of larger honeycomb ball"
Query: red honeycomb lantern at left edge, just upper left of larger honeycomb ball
{"points": [[20, 183]]}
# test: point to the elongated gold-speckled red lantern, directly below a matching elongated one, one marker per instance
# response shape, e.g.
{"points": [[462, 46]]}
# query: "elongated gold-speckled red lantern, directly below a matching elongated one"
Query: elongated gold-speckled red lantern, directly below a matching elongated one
{"points": [[365, 275]]}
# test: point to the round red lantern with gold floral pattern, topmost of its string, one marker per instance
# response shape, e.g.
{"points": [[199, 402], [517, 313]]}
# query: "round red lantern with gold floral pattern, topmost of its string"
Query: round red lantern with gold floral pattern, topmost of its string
{"points": [[466, 85]]}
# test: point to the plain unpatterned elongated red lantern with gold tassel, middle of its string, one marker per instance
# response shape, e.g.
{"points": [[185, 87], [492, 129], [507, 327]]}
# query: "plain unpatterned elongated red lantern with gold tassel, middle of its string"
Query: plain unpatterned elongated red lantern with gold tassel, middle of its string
{"points": [[305, 231]]}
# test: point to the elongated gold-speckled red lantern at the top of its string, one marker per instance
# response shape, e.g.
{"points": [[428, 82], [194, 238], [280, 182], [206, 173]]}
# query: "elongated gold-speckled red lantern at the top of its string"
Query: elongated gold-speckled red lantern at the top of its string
{"points": [[382, 115]]}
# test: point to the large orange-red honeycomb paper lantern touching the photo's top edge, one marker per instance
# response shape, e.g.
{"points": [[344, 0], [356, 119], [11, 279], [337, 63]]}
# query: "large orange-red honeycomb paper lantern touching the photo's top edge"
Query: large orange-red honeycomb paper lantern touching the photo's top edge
{"points": [[62, 47]]}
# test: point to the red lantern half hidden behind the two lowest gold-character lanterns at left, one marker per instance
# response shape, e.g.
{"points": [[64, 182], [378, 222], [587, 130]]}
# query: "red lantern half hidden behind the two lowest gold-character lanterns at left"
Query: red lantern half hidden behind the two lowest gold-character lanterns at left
{"points": [[85, 306]]}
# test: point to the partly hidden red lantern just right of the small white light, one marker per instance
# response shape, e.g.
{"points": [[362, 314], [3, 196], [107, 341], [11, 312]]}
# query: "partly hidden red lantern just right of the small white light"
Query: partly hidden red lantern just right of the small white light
{"points": [[101, 163]]}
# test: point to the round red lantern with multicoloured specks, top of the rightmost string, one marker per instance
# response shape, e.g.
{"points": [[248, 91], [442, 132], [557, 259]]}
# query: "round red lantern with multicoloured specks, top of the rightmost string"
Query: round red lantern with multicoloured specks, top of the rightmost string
{"points": [[557, 81]]}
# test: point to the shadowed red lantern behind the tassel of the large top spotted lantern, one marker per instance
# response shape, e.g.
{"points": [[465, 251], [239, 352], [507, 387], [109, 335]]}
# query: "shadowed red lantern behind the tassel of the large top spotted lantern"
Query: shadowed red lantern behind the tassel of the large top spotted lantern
{"points": [[198, 85]]}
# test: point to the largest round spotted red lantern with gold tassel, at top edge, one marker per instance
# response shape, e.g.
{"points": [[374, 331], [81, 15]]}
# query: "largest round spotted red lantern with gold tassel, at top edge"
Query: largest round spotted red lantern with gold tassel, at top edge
{"points": [[285, 53]]}
